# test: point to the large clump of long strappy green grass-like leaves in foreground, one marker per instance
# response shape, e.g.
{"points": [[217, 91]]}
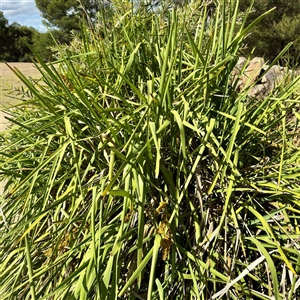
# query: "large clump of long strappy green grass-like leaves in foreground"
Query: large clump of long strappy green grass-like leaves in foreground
{"points": [[135, 170]]}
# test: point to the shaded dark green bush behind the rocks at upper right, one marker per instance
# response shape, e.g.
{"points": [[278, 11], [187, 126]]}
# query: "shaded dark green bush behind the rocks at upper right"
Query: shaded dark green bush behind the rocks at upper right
{"points": [[280, 27]]}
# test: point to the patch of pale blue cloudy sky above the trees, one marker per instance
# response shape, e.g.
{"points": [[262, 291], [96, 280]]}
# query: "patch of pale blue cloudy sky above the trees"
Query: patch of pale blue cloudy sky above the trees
{"points": [[23, 12]]}
